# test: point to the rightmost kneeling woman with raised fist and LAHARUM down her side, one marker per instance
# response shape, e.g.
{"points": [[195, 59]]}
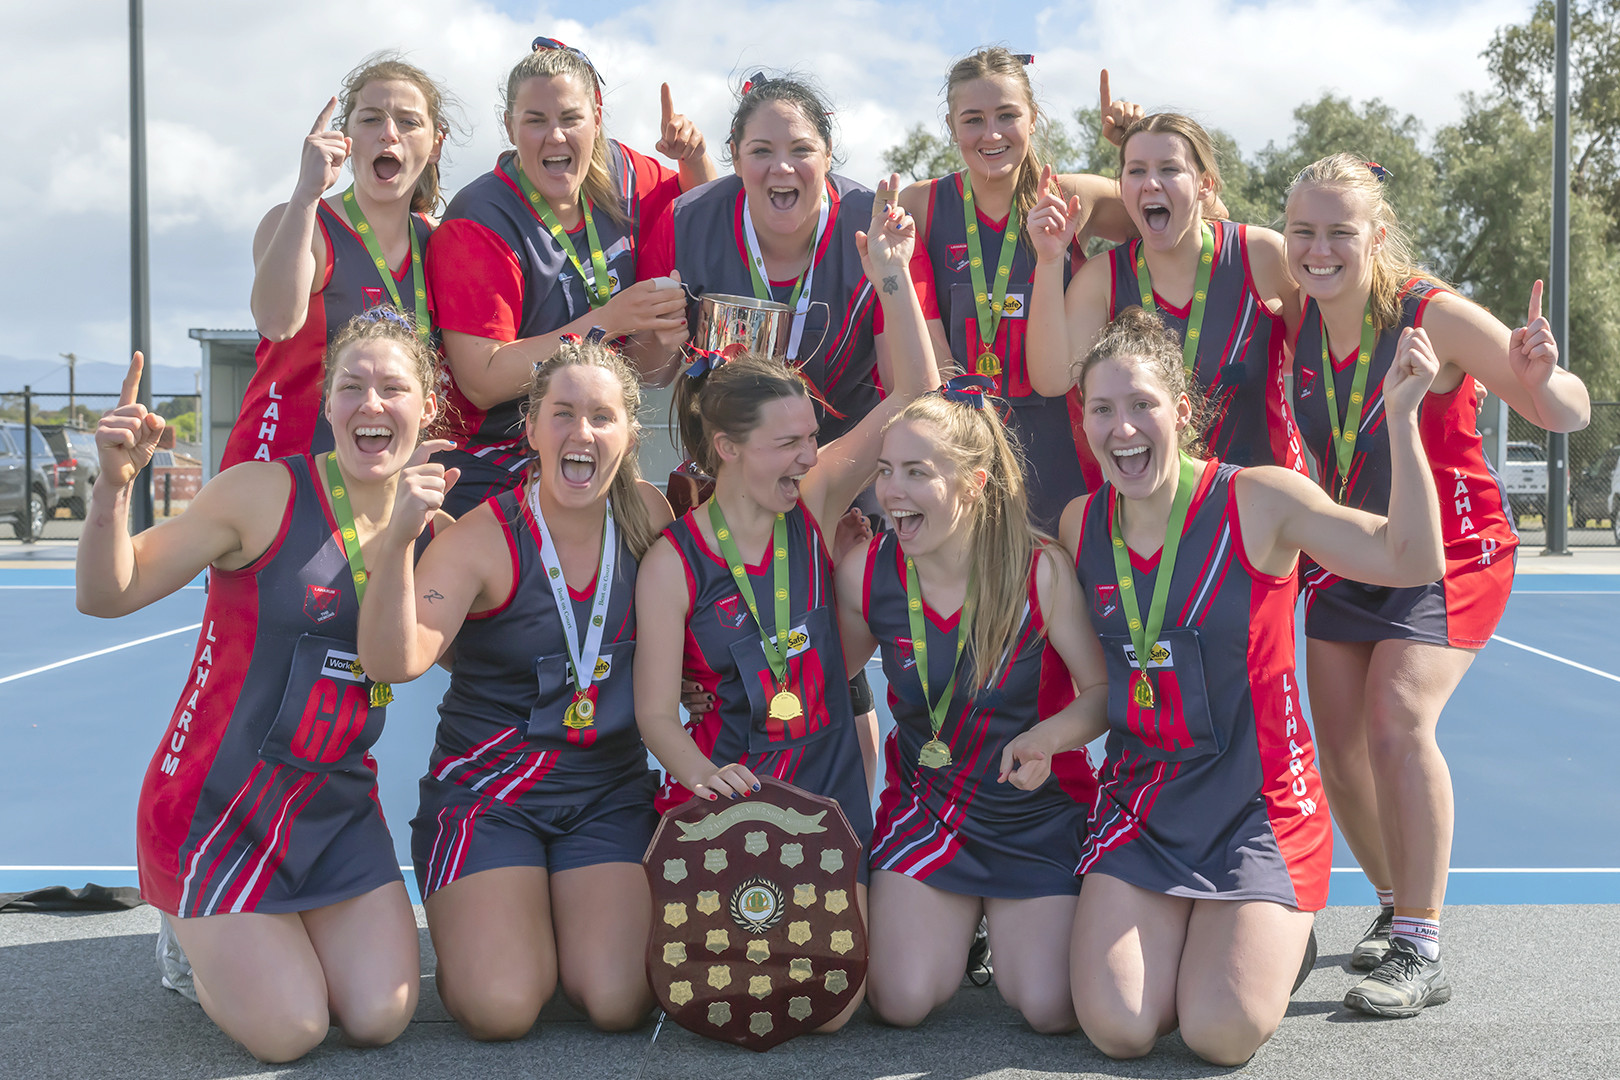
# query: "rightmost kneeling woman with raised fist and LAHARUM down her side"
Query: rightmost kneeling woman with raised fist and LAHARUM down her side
{"points": [[1209, 841]]}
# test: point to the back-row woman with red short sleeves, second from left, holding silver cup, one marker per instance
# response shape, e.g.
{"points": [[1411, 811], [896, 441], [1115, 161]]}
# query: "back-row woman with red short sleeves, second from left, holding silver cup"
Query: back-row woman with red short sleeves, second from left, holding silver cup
{"points": [[545, 245]]}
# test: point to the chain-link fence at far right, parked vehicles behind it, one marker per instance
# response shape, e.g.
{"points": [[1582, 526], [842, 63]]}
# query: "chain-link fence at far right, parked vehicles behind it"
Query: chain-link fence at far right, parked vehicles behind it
{"points": [[1593, 512]]}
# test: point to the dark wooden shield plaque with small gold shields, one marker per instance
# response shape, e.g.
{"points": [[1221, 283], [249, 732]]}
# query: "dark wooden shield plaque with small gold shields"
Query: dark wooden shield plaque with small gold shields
{"points": [[757, 932]]}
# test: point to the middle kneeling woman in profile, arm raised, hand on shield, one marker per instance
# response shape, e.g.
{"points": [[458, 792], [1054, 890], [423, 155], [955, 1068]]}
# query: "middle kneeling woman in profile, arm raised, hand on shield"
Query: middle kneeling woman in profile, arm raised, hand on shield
{"points": [[778, 710]]}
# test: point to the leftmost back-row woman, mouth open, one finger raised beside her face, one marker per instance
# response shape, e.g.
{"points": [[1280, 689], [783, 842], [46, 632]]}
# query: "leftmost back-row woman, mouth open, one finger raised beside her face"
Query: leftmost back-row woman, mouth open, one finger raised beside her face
{"points": [[315, 260]]}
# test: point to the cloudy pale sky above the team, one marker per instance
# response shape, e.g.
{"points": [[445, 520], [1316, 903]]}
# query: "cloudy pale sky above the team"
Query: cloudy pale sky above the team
{"points": [[232, 88]]}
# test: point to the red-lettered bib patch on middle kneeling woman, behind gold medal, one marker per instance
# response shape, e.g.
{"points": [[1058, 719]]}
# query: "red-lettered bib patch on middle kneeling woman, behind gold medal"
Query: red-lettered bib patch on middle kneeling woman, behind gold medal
{"points": [[814, 661]]}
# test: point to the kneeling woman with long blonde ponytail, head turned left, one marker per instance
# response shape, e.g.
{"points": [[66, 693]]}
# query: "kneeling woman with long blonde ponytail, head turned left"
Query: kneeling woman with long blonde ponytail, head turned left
{"points": [[970, 823]]}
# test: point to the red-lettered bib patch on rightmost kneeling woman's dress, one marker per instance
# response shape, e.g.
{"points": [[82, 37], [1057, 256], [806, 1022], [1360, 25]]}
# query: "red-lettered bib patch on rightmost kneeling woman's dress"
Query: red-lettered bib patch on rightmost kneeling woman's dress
{"points": [[1179, 726]]}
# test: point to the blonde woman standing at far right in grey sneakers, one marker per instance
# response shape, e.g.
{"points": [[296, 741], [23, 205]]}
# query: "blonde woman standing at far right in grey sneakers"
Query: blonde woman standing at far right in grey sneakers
{"points": [[1386, 661]]}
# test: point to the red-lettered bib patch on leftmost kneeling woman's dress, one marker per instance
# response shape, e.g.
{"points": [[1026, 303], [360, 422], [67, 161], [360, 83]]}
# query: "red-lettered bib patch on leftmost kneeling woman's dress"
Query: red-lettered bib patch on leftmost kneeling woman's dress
{"points": [[326, 721]]}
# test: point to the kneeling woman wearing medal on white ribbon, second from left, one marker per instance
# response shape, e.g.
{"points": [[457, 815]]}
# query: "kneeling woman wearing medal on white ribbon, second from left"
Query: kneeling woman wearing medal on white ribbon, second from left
{"points": [[539, 802]]}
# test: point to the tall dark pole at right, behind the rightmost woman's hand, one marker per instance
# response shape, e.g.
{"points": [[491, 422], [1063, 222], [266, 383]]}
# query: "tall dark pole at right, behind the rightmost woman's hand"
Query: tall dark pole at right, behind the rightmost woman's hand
{"points": [[1559, 286]]}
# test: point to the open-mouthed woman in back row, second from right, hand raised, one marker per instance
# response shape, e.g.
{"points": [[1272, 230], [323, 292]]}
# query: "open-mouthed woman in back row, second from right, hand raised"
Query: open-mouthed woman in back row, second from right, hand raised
{"points": [[1221, 287]]}
